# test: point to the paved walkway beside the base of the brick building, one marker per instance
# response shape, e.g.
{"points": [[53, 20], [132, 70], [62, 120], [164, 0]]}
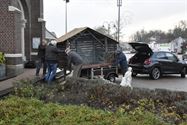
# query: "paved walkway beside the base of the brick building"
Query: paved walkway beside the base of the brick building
{"points": [[7, 85]]}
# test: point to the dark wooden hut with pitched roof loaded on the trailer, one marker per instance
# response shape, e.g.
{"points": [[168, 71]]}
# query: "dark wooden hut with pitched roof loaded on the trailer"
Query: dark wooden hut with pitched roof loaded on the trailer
{"points": [[91, 45]]}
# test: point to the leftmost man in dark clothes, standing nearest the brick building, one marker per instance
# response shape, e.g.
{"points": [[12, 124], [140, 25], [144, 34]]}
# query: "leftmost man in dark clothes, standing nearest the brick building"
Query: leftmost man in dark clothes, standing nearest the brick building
{"points": [[41, 58]]}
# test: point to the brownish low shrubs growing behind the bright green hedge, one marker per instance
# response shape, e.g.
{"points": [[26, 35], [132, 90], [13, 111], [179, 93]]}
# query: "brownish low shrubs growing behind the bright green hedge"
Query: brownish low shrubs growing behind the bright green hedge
{"points": [[137, 104]]}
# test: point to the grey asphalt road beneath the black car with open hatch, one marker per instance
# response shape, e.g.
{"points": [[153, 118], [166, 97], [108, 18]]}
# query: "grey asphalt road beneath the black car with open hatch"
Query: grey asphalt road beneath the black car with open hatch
{"points": [[170, 82]]}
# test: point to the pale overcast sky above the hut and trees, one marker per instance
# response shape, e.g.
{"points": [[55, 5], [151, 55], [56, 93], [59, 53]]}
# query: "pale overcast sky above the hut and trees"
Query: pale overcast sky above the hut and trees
{"points": [[137, 14]]}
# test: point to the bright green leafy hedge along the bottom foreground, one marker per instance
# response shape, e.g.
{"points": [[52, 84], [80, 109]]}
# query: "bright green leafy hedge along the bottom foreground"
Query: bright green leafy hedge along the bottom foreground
{"points": [[20, 111]]}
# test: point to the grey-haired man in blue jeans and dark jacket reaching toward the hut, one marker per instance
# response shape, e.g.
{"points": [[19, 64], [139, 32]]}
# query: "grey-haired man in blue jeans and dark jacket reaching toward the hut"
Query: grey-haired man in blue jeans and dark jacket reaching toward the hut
{"points": [[51, 60]]}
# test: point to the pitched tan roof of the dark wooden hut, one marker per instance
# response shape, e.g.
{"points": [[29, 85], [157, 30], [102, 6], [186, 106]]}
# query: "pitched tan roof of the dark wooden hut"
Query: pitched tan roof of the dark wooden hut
{"points": [[77, 31]]}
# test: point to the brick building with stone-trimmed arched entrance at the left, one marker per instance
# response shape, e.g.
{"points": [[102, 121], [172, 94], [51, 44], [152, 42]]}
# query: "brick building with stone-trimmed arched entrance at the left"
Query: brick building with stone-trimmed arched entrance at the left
{"points": [[21, 28]]}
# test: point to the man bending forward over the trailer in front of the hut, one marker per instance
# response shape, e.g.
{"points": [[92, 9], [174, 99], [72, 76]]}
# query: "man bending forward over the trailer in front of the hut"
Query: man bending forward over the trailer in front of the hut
{"points": [[75, 59]]}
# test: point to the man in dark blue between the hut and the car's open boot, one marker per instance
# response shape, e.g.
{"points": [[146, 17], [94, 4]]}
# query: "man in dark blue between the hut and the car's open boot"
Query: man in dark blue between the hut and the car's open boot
{"points": [[121, 60]]}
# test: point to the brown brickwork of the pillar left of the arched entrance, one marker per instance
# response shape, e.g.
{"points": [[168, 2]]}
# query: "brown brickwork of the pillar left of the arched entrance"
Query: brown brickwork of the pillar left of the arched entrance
{"points": [[10, 33]]}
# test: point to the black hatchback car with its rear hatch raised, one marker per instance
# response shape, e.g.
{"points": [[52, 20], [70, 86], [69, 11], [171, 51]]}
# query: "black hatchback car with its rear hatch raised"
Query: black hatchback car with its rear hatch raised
{"points": [[145, 61]]}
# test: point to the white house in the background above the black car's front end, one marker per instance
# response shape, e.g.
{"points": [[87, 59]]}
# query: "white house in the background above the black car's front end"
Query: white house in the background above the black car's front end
{"points": [[176, 45]]}
